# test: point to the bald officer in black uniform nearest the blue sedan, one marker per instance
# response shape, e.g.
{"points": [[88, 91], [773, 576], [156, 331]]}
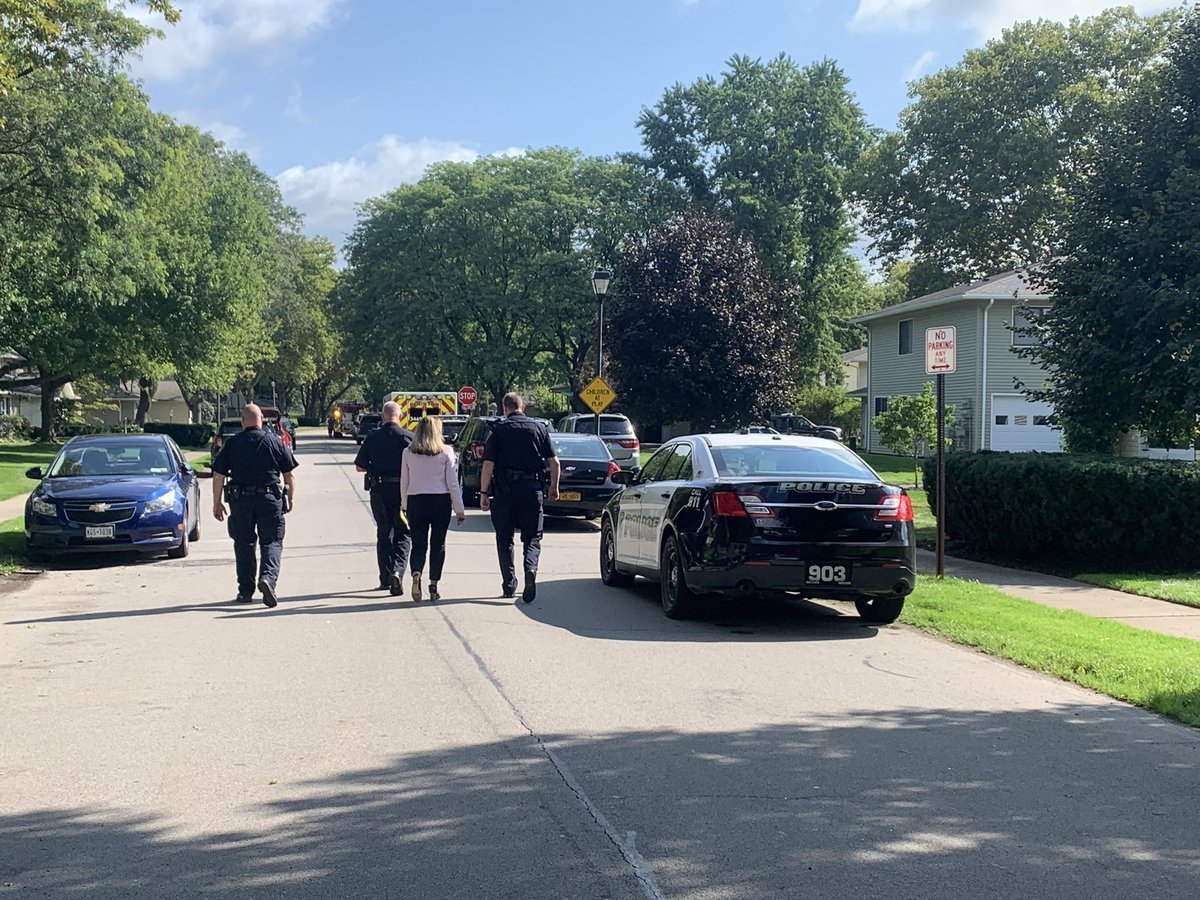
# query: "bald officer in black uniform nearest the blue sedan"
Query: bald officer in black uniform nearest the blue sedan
{"points": [[254, 464]]}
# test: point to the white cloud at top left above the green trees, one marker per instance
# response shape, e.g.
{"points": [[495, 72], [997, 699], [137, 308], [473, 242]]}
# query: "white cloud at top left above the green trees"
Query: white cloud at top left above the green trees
{"points": [[209, 29]]}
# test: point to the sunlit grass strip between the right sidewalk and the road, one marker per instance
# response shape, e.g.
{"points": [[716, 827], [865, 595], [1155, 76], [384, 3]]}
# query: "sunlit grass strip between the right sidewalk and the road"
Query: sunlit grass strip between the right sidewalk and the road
{"points": [[1147, 669]]}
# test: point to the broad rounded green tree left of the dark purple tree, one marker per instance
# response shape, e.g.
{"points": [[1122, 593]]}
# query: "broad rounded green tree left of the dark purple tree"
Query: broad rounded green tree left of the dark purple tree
{"points": [[481, 273]]}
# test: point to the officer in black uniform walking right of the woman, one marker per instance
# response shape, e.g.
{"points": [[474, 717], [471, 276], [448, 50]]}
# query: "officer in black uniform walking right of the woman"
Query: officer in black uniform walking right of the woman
{"points": [[519, 460]]}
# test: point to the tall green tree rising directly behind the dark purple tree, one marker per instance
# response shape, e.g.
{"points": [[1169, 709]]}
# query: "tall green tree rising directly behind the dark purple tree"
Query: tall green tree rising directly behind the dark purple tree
{"points": [[771, 146]]}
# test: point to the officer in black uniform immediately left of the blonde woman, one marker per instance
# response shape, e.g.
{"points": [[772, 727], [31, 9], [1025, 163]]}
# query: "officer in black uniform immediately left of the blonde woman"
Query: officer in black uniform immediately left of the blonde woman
{"points": [[380, 458]]}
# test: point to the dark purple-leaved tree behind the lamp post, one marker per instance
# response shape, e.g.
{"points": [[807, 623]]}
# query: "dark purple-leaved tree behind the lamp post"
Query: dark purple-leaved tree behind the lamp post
{"points": [[704, 329]]}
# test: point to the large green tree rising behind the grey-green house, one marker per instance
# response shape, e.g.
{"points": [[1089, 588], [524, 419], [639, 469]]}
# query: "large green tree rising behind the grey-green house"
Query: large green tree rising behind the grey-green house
{"points": [[982, 172]]}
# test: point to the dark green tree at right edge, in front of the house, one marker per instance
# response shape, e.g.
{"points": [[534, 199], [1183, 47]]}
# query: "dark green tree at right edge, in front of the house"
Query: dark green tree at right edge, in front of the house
{"points": [[1121, 340]]}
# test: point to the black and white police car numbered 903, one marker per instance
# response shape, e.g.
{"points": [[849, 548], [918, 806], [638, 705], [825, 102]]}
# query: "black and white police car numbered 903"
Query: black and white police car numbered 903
{"points": [[741, 514]]}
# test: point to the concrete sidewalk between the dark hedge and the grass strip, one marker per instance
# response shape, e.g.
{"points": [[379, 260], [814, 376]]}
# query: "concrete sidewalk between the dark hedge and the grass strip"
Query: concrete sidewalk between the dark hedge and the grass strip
{"points": [[1142, 613]]}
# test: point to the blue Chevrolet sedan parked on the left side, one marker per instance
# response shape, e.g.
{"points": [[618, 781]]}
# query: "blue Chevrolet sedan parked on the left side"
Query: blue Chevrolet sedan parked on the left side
{"points": [[115, 493]]}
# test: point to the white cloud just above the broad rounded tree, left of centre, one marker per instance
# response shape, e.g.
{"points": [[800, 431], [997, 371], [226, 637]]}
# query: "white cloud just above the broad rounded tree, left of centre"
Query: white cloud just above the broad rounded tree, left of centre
{"points": [[328, 195]]}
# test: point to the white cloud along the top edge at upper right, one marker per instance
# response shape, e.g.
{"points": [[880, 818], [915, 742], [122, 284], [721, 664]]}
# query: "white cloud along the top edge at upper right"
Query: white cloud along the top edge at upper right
{"points": [[987, 19]]}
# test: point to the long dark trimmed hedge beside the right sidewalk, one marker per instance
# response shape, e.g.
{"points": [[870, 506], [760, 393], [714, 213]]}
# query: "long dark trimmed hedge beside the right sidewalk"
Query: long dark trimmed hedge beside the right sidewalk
{"points": [[1072, 509]]}
